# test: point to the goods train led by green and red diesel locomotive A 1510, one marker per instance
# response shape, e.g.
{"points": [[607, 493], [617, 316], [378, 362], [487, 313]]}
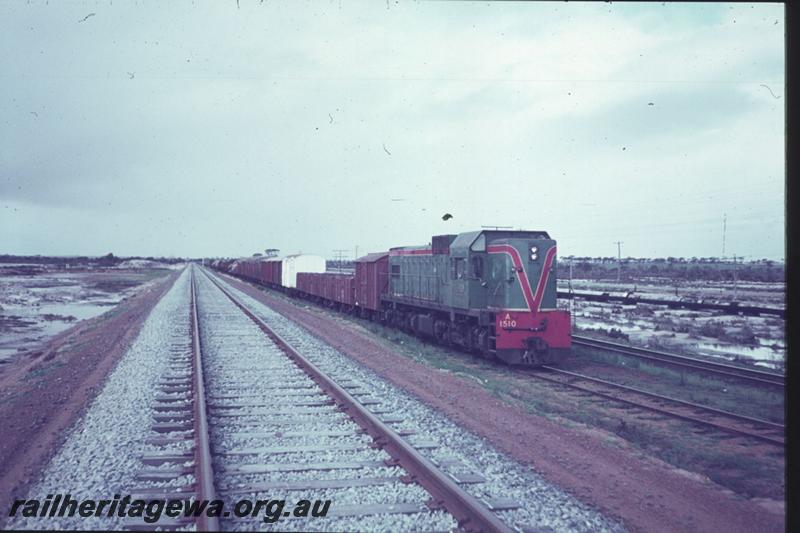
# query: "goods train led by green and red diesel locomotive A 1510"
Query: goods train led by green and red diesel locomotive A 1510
{"points": [[492, 292]]}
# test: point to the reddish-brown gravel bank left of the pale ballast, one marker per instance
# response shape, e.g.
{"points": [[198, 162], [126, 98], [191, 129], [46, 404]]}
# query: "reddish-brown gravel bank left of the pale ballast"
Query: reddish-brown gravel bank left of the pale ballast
{"points": [[44, 392]]}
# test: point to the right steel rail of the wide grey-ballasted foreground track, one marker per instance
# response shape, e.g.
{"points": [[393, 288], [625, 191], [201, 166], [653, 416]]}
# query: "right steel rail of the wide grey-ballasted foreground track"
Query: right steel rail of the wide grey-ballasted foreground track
{"points": [[471, 514]]}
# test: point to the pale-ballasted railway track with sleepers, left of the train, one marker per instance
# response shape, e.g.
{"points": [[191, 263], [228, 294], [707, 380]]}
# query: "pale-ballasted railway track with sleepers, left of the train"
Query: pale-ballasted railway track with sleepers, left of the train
{"points": [[264, 420]]}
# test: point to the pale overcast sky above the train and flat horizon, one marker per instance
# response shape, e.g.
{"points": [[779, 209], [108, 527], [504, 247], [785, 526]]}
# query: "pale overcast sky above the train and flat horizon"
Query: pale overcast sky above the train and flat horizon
{"points": [[203, 129]]}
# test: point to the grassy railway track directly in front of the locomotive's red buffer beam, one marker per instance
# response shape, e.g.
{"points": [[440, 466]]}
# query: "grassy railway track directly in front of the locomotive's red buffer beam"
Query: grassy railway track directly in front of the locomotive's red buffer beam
{"points": [[699, 415]]}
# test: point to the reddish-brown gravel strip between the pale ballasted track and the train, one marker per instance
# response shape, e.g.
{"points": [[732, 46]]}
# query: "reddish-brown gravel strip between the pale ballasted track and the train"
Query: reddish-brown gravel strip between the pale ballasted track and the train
{"points": [[643, 493]]}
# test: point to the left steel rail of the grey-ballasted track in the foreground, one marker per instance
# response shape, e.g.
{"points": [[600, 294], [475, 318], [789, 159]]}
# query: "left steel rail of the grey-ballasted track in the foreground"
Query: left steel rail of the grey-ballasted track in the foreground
{"points": [[204, 465]]}
